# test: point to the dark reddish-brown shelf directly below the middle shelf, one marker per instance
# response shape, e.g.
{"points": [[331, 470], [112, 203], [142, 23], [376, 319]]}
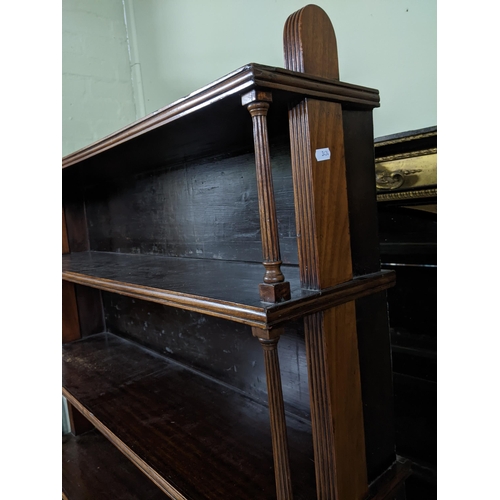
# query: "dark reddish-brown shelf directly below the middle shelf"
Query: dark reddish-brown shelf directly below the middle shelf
{"points": [[194, 437]]}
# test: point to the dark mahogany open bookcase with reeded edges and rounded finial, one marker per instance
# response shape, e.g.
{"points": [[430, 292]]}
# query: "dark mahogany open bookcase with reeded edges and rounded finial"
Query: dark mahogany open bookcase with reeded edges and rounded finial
{"points": [[225, 330]]}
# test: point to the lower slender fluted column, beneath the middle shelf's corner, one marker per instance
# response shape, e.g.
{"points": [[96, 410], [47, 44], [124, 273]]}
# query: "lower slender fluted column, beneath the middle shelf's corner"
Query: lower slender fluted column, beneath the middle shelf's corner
{"points": [[276, 412]]}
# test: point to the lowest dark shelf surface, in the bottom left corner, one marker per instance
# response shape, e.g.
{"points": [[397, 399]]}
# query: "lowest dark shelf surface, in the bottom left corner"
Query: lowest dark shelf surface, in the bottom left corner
{"points": [[93, 468]]}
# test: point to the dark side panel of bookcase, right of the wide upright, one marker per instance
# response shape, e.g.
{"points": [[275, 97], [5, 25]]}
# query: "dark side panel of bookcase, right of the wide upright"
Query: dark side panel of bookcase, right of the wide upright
{"points": [[371, 312]]}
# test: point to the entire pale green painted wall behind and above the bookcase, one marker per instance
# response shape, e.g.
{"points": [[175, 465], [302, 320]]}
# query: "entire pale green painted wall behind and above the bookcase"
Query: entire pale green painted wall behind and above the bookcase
{"points": [[174, 47]]}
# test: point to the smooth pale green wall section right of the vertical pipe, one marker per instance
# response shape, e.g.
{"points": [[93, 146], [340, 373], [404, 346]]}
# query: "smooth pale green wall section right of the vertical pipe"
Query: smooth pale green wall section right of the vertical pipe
{"points": [[385, 44]]}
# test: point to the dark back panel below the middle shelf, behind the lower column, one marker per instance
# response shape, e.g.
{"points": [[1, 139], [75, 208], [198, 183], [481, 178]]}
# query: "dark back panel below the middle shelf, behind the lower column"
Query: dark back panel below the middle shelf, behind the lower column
{"points": [[216, 347]]}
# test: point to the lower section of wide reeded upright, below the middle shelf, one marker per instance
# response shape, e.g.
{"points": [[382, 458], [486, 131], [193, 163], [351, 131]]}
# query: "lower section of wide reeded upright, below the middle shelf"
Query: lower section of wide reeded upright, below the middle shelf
{"points": [[336, 412]]}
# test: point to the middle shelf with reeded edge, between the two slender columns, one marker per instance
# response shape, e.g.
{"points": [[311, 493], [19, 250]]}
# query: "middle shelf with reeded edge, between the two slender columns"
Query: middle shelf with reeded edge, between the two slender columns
{"points": [[226, 289]]}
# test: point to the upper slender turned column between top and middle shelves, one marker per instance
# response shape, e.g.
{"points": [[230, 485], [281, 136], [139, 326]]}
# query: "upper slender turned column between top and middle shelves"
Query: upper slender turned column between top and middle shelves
{"points": [[274, 287]]}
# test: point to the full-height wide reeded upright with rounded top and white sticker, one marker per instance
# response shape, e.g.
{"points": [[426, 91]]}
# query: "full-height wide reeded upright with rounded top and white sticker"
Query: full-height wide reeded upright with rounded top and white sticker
{"points": [[322, 218]]}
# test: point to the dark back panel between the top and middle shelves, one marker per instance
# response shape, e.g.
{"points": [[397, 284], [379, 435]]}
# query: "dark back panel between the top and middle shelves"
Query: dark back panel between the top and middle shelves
{"points": [[209, 212]]}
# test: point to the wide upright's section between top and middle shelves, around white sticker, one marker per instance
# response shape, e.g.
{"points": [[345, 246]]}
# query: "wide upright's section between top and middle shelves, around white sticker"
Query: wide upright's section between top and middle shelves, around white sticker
{"points": [[321, 194]]}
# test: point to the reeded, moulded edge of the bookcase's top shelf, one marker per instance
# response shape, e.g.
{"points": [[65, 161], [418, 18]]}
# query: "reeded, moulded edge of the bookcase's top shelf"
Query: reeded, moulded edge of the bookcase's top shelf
{"points": [[288, 84]]}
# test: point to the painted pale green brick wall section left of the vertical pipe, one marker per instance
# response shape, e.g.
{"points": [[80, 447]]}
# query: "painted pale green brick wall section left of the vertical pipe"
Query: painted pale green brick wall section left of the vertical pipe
{"points": [[96, 78]]}
